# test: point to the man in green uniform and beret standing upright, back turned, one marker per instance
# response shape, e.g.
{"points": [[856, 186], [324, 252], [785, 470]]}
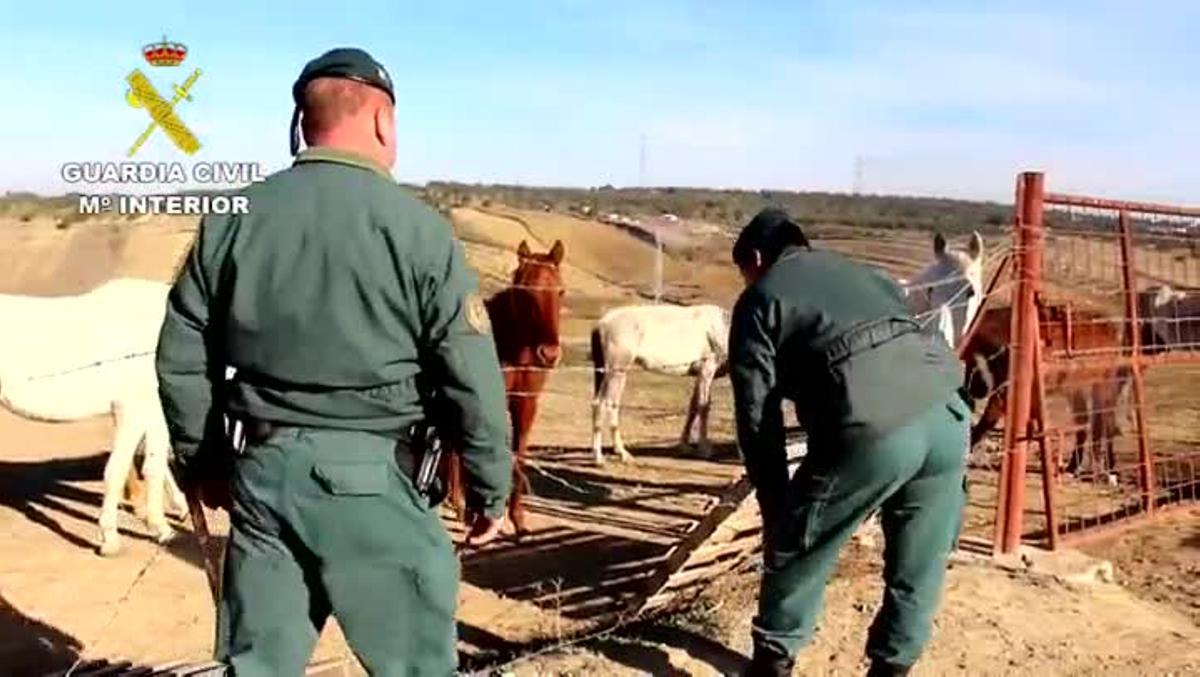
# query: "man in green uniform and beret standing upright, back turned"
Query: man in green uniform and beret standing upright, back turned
{"points": [[340, 299]]}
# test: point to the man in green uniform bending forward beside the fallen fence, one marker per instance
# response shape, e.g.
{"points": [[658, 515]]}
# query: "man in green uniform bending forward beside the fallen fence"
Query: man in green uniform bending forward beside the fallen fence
{"points": [[886, 430]]}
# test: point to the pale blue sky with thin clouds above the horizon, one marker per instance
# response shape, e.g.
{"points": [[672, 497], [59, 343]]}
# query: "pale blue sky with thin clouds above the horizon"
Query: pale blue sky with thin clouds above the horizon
{"points": [[944, 99]]}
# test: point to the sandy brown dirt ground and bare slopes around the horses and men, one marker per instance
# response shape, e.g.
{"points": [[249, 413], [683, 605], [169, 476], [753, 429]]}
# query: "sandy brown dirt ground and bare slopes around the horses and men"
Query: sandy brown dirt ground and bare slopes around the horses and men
{"points": [[596, 529]]}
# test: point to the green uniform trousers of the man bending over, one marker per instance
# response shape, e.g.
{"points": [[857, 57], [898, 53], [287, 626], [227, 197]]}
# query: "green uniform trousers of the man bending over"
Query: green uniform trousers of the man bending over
{"points": [[914, 476]]}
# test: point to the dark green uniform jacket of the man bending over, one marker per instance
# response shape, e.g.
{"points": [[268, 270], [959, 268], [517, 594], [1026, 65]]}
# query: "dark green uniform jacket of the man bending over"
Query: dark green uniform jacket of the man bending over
{"points": [[836, 338]]}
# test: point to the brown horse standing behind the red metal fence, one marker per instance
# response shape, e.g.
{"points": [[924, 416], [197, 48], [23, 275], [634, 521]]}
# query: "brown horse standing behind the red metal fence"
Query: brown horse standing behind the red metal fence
{"points": [[1064, 329]]}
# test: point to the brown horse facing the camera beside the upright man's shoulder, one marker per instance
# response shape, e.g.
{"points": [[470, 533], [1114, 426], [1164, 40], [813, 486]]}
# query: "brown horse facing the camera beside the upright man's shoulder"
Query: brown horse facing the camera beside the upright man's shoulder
{"points": [[525, 321]]}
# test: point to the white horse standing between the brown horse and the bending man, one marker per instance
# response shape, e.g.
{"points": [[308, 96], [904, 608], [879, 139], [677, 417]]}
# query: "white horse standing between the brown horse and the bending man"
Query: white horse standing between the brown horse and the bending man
{"points": [[667, 339]]}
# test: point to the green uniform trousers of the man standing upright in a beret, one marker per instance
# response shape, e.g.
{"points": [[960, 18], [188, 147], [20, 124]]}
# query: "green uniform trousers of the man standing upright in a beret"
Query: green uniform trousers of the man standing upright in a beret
{"points": [[325, 522]]}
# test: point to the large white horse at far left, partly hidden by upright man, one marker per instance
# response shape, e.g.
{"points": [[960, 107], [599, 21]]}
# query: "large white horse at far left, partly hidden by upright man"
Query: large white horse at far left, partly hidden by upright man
{"points": [[71, 358]]}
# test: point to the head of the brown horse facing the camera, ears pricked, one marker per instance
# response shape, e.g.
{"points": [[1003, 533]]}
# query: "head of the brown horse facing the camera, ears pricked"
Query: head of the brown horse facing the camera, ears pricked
{"points": [[538, 284]]}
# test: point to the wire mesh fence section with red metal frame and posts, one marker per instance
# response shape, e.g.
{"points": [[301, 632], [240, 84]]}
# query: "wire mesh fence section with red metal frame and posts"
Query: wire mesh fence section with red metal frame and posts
{"points": [[1103, 343]]}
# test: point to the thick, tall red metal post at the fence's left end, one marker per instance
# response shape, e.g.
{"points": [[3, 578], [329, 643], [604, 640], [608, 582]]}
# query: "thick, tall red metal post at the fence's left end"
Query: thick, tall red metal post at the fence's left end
{"points": [[1030, 238]]}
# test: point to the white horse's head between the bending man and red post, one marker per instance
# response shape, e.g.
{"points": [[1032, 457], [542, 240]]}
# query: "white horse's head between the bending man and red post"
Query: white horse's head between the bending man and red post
{"points": [[950, 290]]}
